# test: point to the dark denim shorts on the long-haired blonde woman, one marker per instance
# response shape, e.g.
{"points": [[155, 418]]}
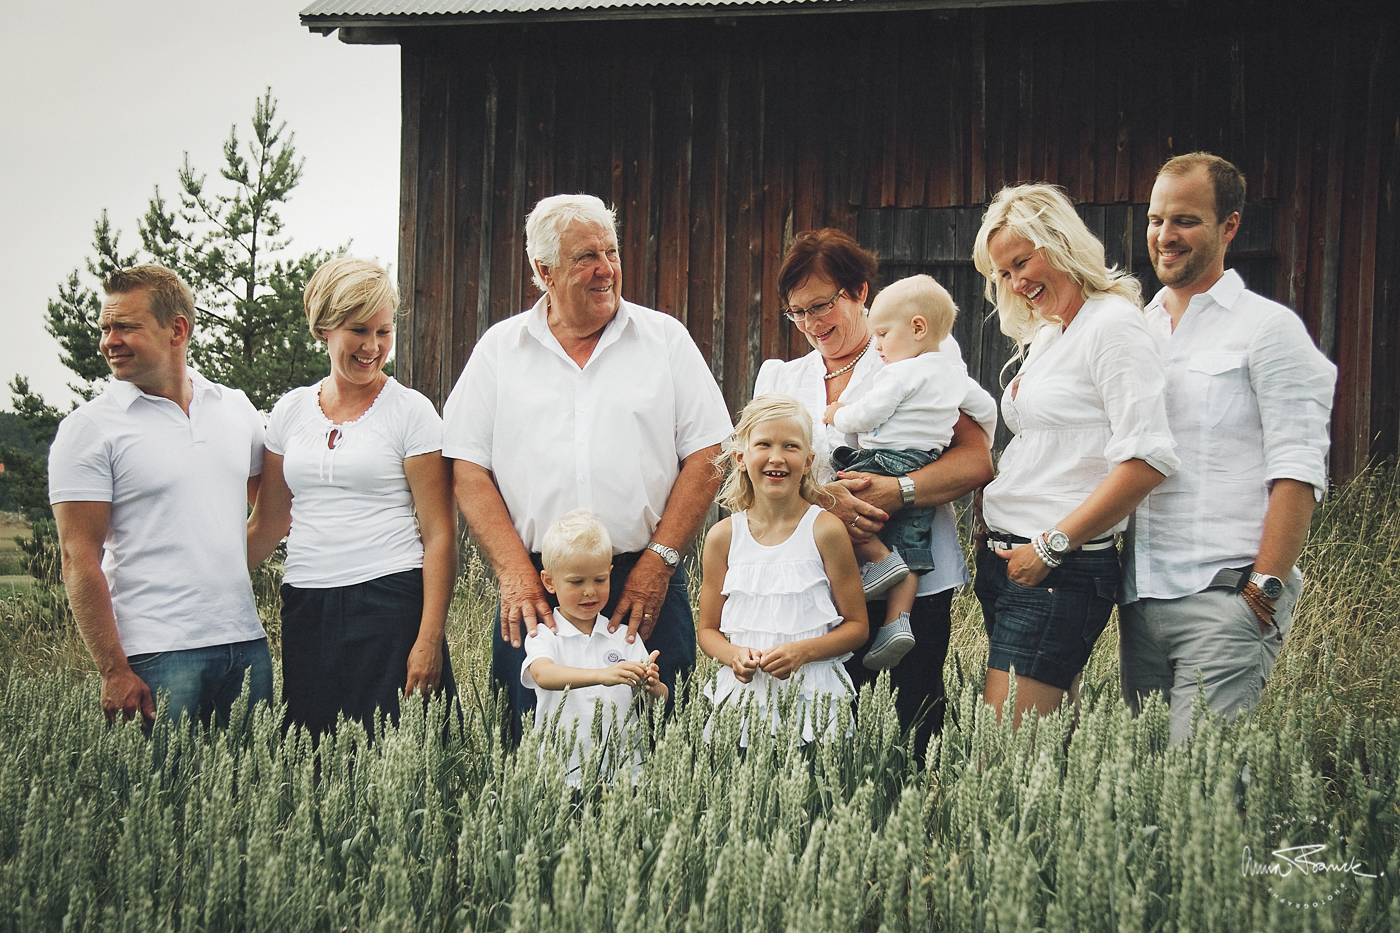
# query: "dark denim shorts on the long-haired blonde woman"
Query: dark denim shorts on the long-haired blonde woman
{"points": [[1046, 631]]}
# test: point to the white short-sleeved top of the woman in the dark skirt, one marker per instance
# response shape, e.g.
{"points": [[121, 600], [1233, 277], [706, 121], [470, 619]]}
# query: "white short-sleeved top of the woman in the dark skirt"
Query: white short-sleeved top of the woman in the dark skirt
{"points": [[352, 509]]}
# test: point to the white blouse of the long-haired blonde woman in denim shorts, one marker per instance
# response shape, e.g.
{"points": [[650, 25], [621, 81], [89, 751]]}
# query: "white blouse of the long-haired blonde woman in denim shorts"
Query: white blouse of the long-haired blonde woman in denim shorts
{"points": [[1087, 399]]}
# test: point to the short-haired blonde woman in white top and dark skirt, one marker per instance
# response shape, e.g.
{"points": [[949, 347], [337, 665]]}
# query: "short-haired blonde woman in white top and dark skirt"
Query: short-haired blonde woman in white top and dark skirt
{"points": [[355, 470]]}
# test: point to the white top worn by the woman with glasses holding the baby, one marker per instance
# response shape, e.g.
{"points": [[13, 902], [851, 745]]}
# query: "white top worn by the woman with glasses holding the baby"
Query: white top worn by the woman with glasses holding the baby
{"points": [[803, 380]]}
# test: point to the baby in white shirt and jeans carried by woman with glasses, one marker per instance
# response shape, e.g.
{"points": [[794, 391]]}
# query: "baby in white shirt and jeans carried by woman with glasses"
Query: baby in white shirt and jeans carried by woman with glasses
{"points": [[905, 422]]}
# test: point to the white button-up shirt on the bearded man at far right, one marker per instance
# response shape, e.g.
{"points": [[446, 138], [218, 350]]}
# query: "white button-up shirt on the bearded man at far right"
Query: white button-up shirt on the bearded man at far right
{"points": [[1249, 401]]}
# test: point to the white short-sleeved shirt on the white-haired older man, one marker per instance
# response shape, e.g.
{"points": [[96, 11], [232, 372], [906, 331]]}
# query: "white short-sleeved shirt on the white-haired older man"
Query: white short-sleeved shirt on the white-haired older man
{"points": [[608, 438]]}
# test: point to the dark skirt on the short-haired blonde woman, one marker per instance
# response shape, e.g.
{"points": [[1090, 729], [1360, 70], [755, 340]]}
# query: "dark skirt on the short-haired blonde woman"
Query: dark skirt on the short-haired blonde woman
{"points": [[346, 649]]}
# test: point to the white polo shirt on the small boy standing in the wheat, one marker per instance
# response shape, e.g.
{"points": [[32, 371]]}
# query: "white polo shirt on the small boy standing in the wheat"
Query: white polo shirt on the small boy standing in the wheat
{"points": [[572, 648]]}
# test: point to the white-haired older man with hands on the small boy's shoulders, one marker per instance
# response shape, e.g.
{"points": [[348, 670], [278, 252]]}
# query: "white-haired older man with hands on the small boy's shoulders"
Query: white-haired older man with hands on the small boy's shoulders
{"points": [[586, 401]]}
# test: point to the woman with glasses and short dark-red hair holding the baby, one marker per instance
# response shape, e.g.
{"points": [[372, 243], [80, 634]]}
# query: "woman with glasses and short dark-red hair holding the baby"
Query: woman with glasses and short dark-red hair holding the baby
{"points": [[825, 284]]}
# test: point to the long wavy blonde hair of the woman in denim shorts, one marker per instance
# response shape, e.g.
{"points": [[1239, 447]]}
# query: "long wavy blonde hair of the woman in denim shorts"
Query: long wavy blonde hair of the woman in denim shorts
{"points": [[1045, 216]]}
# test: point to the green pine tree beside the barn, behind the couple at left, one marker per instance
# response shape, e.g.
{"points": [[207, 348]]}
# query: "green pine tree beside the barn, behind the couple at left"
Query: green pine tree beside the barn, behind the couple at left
{"points": [[226, 240]]}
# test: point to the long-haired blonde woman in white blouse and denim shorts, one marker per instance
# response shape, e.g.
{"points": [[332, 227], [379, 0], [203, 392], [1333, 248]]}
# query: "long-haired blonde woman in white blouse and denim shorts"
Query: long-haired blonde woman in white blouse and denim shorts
{"points": [[1091, 441]]}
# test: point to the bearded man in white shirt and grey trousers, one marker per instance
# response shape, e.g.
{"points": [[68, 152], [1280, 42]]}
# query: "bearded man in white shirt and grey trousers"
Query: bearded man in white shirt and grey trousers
{"points": [[1210, 583]]}
